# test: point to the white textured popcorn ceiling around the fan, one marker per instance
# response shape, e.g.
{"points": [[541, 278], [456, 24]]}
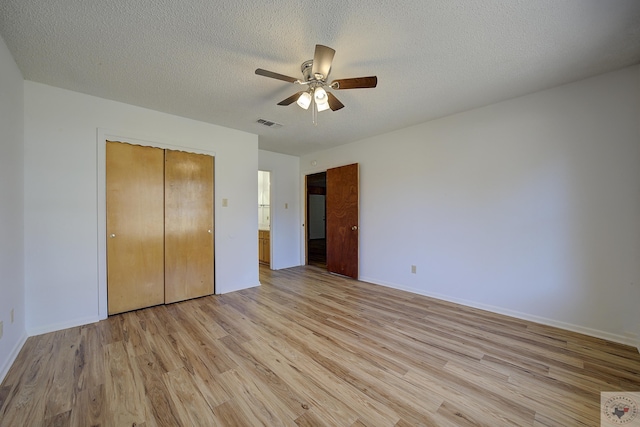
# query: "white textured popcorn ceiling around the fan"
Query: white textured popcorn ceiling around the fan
{"points": [[196, 58]]}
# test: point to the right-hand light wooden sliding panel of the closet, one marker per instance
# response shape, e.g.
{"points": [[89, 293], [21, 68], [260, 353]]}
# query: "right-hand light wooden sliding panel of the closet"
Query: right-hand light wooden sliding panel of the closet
{"points": [[188, 225]]}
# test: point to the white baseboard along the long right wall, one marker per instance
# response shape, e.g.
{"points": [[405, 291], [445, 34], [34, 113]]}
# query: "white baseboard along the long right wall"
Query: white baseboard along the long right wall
{"points": [[622, 339]]}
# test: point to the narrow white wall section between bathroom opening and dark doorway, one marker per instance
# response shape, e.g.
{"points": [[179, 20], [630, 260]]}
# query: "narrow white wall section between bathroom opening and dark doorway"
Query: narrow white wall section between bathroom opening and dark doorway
{"points": [[285, 208]]}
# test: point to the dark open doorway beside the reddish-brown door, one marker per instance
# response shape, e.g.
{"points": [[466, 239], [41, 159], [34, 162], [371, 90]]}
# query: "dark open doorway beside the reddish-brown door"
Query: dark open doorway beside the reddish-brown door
{"points": [[316, 219]]}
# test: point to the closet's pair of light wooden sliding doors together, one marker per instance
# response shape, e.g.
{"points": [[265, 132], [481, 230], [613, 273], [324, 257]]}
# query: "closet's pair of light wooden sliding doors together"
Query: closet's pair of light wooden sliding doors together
{"points": [[159, 226]]}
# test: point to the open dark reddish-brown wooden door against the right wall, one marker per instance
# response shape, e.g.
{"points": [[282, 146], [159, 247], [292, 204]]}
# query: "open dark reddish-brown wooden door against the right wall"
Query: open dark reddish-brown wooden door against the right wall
{"points": [[342, 220]]}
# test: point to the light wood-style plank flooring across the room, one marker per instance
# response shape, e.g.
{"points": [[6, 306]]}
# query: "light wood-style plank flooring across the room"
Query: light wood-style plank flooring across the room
{"points": [[311, 349]]}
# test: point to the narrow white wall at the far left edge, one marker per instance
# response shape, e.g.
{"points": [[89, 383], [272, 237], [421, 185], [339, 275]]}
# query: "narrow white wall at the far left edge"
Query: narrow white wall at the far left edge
{"points": [[11, 210]]}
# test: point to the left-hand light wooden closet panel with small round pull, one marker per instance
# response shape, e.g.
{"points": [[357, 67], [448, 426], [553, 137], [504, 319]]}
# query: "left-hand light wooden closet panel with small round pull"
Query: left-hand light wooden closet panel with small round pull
{"points": [[135, 226]]}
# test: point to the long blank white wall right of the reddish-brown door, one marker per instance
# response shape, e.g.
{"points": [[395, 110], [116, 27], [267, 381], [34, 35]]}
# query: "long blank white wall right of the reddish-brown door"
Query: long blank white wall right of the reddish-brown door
{"points": [[529, 207]]}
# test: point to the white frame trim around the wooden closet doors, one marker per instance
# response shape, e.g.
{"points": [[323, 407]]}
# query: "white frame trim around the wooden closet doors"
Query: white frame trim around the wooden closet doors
{"points": [[104, 135]]}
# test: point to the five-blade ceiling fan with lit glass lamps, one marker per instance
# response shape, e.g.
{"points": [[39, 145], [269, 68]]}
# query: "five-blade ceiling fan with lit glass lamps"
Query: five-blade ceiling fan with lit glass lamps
{"points": [[315, 73]]}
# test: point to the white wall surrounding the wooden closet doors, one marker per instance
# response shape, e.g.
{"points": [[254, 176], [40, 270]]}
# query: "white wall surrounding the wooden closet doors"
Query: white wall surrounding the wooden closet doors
{"points": [[64, 250]]}
